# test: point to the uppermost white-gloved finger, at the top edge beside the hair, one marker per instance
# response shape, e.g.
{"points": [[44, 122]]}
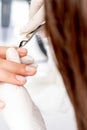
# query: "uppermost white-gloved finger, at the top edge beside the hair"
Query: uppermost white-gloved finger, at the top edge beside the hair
{"points": [[35, 6]]}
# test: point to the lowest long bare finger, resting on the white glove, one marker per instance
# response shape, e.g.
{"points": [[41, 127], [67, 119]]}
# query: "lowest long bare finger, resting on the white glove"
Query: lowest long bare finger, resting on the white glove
{"points": [[8, 77]]}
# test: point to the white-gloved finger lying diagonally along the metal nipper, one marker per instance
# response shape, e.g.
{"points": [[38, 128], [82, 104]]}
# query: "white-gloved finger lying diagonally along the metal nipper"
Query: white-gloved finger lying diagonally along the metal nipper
{"points": [[34, 22]]}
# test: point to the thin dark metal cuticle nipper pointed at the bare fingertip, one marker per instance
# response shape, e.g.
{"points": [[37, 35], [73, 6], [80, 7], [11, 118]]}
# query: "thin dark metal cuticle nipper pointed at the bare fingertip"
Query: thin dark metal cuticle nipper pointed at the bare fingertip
{"points": [[31, 34]]}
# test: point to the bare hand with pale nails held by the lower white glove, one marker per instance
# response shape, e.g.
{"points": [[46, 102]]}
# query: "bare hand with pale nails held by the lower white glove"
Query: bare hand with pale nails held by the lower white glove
{"points": [[12, 72]]}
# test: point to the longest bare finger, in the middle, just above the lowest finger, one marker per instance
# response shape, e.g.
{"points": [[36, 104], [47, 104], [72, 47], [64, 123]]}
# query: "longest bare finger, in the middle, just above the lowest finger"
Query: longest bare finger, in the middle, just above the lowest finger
{"points": [[17, 68]]}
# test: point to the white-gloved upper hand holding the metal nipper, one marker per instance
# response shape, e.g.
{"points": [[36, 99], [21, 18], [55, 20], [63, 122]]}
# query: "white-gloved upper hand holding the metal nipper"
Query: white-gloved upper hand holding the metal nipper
{"points": [[37, 16]]}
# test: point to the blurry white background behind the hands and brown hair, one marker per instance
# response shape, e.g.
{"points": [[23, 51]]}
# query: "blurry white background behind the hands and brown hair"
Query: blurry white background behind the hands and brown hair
{"points": [[46, 87]]}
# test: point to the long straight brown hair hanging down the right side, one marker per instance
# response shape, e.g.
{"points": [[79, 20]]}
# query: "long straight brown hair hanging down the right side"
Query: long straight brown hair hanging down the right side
{"points": [[66, 24]]}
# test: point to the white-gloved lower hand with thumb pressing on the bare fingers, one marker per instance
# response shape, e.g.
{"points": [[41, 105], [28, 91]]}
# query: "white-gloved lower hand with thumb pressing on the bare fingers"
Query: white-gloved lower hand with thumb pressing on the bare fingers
{"points": [[20, 112]]}
